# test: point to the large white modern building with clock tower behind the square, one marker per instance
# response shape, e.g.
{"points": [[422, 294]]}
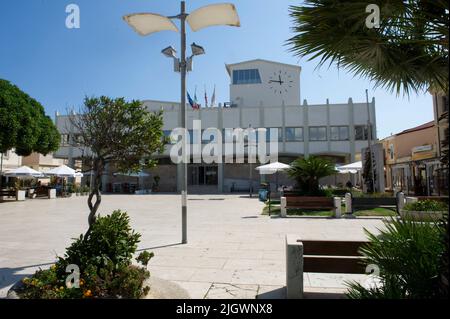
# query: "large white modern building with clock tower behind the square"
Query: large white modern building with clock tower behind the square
{"points": [[263, 94]]}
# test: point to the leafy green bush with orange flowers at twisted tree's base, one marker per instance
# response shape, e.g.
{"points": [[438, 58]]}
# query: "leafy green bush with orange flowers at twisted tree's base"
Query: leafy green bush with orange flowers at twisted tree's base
{"points": [[105, 261]]}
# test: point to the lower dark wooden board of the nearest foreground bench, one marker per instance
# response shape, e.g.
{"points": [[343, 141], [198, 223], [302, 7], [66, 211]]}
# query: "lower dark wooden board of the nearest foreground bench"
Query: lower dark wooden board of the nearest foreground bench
{"points": [[338, 265]]}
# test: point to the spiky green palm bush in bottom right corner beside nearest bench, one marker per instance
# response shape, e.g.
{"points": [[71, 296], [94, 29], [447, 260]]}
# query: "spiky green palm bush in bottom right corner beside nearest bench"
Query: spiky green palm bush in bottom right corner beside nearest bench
{"points": [[408, 255]]}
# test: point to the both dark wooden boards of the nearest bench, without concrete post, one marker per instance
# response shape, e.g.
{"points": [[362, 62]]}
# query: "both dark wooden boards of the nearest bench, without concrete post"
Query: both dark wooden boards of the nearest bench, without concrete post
{"points": [[333, 256]]}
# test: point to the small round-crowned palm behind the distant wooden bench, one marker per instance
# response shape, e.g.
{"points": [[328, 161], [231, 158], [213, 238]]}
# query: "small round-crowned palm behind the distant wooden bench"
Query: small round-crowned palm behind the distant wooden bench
{"points": [[308, 171]]}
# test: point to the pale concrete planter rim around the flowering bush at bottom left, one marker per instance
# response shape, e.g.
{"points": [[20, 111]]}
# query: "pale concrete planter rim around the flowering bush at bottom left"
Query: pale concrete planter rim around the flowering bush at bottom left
{"points": [[160, 289]]}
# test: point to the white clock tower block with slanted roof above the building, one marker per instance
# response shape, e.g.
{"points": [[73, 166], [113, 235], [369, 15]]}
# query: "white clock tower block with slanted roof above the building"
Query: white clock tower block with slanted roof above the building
{"points": [[264, 83]]}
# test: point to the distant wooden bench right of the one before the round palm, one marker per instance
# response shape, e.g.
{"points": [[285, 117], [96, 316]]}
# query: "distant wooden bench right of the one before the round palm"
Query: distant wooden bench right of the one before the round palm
{"points": [[361, 203]]}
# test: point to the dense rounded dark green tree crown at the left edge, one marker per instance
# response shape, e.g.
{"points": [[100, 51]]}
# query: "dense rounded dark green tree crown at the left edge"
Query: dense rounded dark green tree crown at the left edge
{"points": [[23, 123]]}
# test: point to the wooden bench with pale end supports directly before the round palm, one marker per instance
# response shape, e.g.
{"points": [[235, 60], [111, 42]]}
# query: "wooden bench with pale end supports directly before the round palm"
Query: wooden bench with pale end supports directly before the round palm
{"points": [[310, 202]]}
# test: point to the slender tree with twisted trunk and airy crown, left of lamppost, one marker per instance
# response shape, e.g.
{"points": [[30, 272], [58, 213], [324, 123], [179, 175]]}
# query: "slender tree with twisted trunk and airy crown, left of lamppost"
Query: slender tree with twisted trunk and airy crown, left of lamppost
{"points": [[119, 133]]}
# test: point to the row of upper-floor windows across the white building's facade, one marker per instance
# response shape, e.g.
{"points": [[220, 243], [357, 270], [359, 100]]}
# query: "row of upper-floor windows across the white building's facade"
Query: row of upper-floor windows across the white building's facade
{"points": [[295, 134]]}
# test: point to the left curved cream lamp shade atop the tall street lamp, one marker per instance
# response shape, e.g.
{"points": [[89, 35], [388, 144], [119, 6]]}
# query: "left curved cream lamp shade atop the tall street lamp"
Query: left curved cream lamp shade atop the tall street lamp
{"points": [[148, 23]]}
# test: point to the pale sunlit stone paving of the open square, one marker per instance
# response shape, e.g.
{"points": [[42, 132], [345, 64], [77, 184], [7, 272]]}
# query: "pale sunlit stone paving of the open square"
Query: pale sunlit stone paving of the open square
{"points": [[232, 251]]}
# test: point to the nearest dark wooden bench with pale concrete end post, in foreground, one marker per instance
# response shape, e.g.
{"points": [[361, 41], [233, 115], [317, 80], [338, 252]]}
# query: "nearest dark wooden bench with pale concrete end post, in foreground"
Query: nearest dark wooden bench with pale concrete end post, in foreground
{"points": [[319, 256]]}
